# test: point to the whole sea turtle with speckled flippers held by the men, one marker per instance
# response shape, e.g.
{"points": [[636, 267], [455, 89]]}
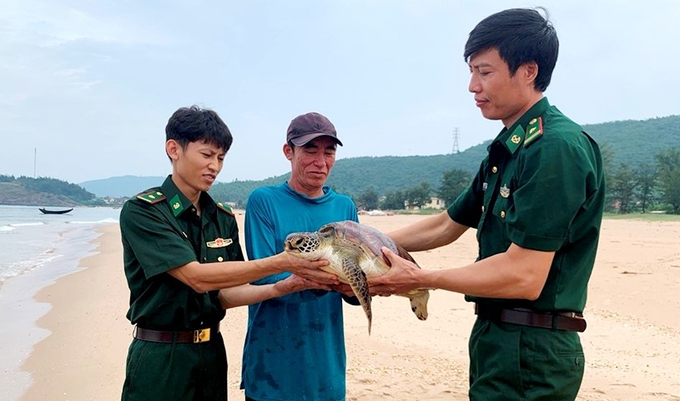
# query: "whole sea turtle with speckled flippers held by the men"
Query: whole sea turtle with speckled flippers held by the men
{"points": [[353, 250]]}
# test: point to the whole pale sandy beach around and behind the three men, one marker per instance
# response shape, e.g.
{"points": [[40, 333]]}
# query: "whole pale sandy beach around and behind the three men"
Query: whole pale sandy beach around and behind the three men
{"points": [[632, 343]]}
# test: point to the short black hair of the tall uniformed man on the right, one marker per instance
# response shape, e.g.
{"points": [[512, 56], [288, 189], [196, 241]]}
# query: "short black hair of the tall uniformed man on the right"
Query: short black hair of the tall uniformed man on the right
{"points": [[521, 36]]}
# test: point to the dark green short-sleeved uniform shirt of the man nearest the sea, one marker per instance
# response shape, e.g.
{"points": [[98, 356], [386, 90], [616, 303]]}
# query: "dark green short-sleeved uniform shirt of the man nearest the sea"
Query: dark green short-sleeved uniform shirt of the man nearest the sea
{"points": [[161, 231]]}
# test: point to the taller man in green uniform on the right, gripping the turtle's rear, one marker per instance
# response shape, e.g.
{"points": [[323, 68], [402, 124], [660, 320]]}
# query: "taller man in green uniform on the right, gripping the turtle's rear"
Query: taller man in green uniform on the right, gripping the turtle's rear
{"points": [[536, 203]]}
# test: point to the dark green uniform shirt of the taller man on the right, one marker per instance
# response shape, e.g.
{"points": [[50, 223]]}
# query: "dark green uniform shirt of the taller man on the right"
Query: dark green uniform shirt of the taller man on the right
{"points": [[540, 187]]}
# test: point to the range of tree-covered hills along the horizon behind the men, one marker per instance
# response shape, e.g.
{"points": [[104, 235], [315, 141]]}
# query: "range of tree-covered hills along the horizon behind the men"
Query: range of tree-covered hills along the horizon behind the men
{"points": [[632, 142]]}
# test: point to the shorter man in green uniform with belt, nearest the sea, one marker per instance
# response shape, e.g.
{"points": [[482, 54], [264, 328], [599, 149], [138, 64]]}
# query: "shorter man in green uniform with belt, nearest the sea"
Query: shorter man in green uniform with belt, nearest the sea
{"points": [[180, 248]]}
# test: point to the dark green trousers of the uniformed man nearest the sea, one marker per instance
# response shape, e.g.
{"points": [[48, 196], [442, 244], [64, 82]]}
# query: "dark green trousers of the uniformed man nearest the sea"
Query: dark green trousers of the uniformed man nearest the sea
{"points": [[174, 372]]}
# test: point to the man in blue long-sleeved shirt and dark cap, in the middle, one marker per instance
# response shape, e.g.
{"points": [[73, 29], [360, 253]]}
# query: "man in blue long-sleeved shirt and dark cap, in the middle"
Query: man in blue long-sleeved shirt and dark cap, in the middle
{"points": [[295, 346]]}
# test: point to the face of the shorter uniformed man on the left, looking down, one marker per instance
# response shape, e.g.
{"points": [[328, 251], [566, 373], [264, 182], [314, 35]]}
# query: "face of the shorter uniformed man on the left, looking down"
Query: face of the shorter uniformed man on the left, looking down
{"points": [[196, 167]]}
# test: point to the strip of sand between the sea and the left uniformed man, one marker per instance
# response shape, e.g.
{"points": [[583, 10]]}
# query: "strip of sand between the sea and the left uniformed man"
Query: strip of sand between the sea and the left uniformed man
{"points": [[89, 332]]}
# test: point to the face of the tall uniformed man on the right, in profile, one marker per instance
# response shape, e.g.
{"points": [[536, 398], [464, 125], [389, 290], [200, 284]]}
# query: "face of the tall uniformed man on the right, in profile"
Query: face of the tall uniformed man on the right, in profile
{"points": [[497, 94]]}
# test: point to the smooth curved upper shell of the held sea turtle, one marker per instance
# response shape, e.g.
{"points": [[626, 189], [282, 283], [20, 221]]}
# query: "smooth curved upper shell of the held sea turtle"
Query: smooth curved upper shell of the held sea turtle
{"points": [[368, 238]]}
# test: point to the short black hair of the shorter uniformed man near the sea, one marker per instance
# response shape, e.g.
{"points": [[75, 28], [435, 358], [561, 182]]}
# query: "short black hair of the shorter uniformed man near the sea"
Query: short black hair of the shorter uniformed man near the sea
{"points": [[193, 124]]}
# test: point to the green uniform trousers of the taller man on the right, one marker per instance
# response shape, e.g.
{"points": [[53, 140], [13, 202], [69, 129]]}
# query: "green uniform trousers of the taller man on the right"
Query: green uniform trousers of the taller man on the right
{"points": [[513, 362]]}
